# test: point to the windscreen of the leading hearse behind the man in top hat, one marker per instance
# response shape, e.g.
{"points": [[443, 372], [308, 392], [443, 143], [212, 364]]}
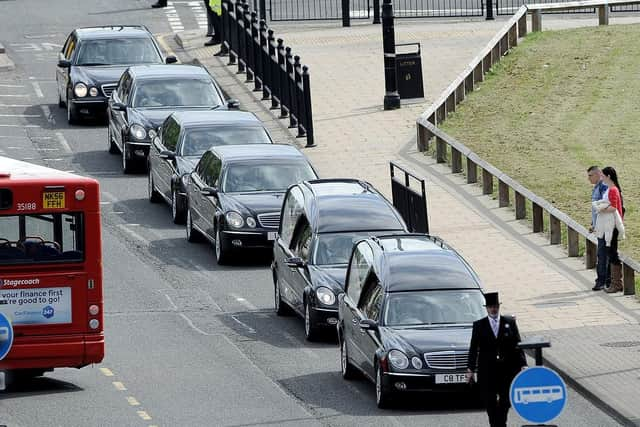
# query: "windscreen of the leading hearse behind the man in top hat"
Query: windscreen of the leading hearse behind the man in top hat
{"points": [[423, 308]]}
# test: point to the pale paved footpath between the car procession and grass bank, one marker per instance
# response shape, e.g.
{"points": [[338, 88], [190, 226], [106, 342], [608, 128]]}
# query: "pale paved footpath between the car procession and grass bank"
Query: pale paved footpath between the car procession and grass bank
{"points": [[595, 337]]}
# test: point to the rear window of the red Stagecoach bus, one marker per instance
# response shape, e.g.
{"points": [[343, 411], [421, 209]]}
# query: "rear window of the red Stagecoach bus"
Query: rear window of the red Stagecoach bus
{"points": [[41, 238]]}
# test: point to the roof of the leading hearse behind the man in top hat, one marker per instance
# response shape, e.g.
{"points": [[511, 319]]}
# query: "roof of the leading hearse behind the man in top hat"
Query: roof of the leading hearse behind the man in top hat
{"points": [[421, 262]]}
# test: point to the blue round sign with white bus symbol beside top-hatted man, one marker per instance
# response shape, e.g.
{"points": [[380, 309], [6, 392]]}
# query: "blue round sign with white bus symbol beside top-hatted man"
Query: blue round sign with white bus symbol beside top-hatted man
{"points": [[538, 394]]}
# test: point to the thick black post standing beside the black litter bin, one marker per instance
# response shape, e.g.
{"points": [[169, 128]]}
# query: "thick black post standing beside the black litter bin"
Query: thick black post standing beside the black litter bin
{"points": [[391, 97]]}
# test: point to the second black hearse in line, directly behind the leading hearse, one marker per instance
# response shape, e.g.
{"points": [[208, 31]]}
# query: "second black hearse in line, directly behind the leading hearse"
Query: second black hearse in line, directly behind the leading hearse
{"points": [[319, 224]]}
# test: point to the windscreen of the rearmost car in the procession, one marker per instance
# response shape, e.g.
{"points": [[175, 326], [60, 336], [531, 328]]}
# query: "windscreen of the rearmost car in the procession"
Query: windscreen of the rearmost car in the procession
{"points": [[118, 52]]}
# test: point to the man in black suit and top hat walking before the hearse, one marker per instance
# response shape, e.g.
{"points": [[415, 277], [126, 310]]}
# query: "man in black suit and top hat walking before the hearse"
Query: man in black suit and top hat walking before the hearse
{"points": [[493, 353]]}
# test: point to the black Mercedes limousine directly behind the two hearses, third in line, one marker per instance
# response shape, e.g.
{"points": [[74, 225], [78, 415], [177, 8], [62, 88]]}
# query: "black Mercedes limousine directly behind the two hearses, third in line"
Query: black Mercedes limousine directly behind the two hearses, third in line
{"points": [[234, 194]]}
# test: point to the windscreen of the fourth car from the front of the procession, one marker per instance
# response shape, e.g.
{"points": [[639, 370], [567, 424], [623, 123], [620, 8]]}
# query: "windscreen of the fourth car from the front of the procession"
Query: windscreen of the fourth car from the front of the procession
{"points": [[196, 141]]}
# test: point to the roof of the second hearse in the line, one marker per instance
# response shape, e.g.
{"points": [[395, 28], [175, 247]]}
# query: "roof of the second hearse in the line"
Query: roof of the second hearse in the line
{"points": [[350, 205]]}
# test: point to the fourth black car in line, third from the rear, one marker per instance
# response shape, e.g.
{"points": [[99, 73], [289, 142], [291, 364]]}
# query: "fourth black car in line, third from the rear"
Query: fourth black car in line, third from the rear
{"points": [[183, 138]]}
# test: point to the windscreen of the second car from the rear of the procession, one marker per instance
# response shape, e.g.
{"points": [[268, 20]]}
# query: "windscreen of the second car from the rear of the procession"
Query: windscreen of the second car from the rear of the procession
{"points": [[185, 92]]}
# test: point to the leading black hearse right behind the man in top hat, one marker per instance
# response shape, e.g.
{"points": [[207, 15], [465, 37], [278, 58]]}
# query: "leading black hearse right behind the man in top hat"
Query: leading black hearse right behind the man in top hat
{"points": [[406, 316]]}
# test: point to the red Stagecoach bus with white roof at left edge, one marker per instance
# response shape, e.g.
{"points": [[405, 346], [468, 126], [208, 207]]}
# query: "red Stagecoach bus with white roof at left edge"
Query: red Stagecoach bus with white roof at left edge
{"points": [[50, 268]]}
